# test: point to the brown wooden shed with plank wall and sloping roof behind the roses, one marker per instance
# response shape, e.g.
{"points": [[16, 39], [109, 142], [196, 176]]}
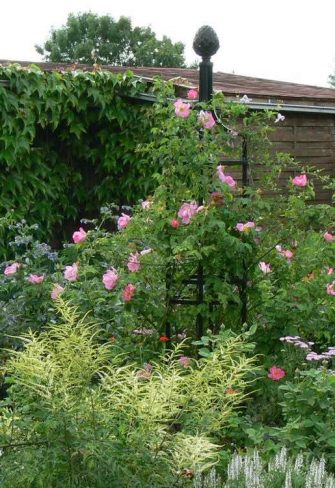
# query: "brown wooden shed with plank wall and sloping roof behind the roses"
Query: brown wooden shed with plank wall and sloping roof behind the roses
{"points": [[308, 132]]}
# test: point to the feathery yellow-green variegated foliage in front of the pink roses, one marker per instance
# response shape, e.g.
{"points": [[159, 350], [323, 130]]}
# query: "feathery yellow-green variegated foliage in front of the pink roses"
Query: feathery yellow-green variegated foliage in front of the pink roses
{"points": [[79, 414]]}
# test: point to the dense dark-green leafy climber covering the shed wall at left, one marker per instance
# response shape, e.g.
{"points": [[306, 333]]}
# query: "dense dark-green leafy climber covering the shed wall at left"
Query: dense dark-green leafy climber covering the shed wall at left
{"points": [[68, 144]]}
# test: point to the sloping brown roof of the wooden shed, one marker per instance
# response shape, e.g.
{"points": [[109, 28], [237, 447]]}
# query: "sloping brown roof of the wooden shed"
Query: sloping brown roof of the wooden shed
{"points": [[230, 84]]}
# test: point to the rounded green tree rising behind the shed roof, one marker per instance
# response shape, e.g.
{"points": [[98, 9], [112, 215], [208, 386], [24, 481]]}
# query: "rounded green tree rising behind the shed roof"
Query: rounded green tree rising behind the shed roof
{"points": [[89, 38]]}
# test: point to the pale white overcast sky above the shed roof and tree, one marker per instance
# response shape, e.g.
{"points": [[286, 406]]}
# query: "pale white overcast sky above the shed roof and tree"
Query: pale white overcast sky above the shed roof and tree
{"points": [[287, 40]]}
